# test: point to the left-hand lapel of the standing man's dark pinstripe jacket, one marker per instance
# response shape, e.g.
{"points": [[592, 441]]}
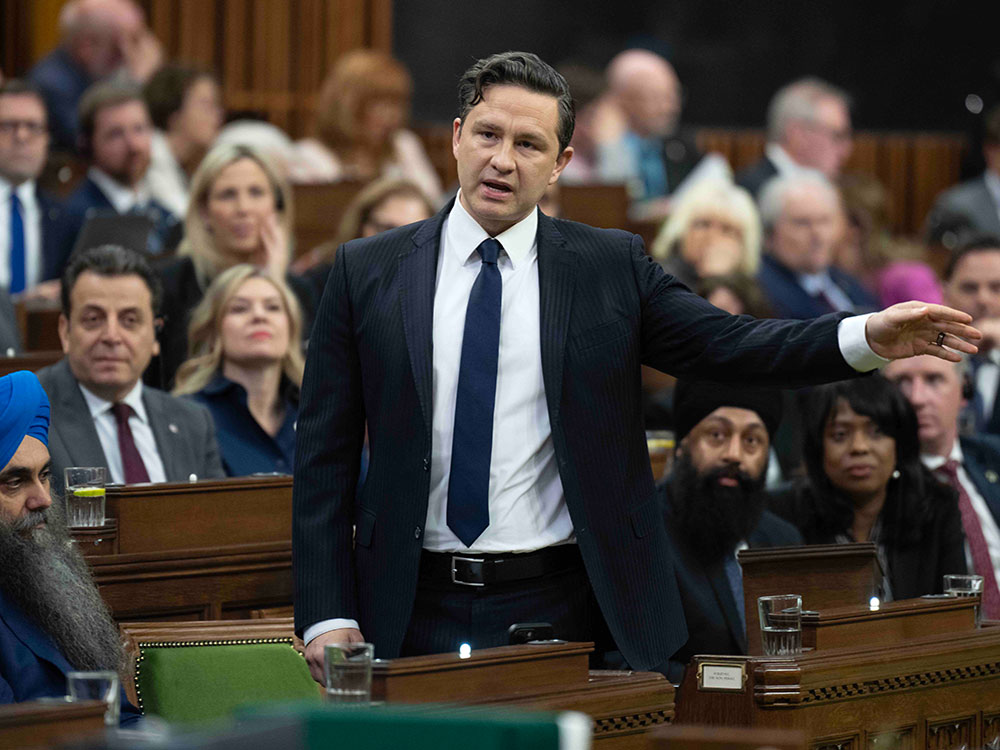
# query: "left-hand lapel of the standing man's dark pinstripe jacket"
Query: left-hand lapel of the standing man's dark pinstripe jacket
{"points": [[417, 270]]}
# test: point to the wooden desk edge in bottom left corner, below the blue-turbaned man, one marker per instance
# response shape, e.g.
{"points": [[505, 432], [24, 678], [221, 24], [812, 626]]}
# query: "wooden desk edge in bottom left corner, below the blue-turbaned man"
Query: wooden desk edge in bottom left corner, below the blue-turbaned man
{"points": [[45, 724]]}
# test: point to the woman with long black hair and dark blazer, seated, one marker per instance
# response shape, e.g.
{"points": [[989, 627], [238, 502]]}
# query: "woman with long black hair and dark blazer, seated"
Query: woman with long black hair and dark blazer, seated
{"points": [[865, 482]]}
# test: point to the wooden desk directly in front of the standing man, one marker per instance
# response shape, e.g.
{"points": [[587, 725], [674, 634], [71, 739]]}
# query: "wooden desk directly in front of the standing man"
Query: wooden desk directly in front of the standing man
{"points": [[623, 705]]}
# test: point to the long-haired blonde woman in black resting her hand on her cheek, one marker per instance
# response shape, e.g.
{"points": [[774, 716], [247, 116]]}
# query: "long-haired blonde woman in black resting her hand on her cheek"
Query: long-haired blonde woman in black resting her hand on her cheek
{"points": [[240, 212]]}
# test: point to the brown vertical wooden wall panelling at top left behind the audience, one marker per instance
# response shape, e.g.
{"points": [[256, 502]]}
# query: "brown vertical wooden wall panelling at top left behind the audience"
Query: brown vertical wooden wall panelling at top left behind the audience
{"points": [[271, 55]]}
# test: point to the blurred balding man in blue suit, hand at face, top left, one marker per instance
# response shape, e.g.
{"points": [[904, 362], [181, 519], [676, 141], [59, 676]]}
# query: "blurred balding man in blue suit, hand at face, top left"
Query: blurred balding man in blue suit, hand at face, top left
{"points": [[97, 39]]}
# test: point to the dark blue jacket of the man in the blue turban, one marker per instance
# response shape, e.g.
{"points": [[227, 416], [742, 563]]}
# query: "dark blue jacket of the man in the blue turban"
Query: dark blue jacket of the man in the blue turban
{"points": [[31, 666]]}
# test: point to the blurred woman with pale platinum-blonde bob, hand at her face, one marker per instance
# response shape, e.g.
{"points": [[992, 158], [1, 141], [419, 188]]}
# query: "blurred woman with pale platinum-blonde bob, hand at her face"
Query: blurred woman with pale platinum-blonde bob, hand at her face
{"points": [[713, 230]]}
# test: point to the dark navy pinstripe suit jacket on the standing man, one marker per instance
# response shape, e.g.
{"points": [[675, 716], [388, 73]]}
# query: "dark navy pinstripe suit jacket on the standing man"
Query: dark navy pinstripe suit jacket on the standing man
{"points": [[606, 308]]}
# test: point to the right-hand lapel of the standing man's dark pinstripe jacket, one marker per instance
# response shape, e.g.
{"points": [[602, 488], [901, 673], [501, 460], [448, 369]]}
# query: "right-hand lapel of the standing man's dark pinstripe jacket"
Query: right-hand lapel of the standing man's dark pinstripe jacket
{"points": [[556, 281]]}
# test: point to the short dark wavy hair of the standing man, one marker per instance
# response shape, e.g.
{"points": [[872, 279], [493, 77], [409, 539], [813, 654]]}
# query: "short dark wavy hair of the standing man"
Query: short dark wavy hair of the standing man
{"points": [[518, 69]]}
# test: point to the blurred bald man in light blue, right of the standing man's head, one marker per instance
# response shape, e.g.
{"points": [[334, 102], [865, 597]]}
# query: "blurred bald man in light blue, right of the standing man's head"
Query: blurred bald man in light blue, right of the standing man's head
{"points": [[635, 130]]}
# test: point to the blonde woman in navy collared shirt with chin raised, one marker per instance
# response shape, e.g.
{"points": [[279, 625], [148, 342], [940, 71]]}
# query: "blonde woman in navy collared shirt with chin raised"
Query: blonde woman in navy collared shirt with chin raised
{"points": [[246, 366]]}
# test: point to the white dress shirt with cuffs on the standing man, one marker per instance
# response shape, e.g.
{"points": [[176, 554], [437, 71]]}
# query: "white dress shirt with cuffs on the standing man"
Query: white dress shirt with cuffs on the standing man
{"points": [[527, 508]]}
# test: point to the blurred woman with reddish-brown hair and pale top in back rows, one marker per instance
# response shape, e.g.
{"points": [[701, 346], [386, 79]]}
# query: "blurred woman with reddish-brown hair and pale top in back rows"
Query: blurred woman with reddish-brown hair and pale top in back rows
{"points": [[360, 132]]}
